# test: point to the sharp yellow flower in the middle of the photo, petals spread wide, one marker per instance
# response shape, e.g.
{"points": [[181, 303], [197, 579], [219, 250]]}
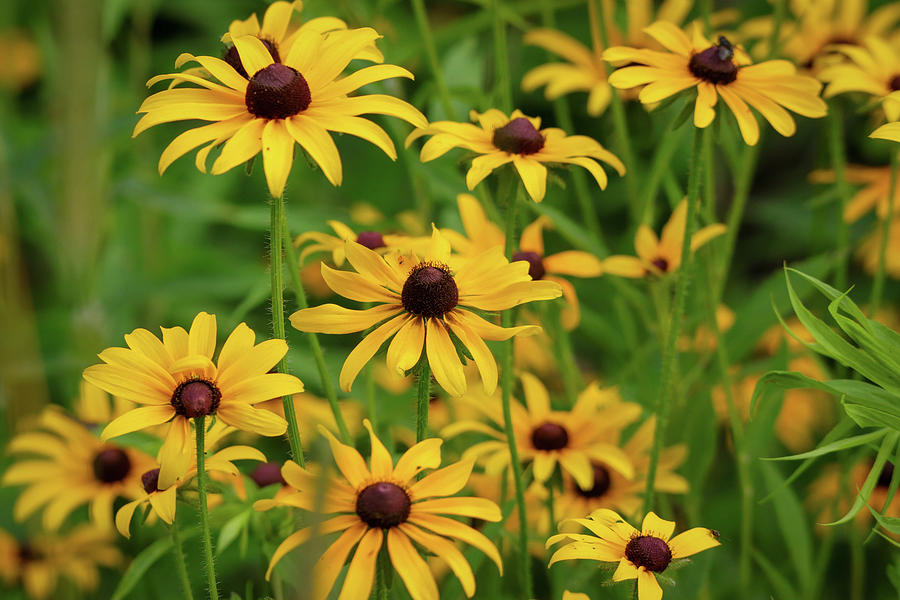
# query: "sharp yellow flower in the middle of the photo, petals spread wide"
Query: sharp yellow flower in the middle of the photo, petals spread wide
{"points": [[420, 304]]}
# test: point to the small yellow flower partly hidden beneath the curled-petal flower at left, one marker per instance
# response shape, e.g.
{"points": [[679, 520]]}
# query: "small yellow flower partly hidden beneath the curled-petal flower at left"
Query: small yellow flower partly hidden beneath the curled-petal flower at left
{"points": [[162, 500]]}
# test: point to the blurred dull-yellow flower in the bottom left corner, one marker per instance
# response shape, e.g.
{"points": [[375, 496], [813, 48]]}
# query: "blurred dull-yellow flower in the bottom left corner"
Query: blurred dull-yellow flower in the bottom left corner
{"points": [[74, 556]]}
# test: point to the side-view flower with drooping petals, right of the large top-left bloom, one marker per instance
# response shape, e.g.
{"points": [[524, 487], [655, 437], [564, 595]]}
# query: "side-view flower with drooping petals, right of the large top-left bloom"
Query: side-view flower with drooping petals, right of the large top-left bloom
{"points": [[516, 139]]}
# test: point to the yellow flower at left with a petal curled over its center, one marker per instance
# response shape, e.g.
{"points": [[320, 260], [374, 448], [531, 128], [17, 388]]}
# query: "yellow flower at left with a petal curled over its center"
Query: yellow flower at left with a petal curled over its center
{"points": [[176, 380]]}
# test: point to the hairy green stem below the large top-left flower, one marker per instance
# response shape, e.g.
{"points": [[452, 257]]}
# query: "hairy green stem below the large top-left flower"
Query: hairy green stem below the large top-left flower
{"points": [[276, 233]]}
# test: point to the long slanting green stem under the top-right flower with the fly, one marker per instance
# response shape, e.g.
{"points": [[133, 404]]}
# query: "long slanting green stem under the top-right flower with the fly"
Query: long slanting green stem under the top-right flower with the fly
{"points": [[667, 376]]}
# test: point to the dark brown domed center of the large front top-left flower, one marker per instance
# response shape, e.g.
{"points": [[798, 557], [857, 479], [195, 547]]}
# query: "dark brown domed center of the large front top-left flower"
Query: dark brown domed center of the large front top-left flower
{"points": [[277, 92]]}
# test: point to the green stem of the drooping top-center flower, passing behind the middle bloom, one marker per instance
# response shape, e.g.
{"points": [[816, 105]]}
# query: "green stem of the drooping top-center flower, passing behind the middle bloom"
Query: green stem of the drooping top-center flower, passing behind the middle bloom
{"points": [[506, 384]]}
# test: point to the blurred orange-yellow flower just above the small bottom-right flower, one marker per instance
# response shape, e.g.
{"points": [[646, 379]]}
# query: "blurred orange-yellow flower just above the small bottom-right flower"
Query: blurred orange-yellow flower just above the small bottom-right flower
{"points": [[611, 489]]}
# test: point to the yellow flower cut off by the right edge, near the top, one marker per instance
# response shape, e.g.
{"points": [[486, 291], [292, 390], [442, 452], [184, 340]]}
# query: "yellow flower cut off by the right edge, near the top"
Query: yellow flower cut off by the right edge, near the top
{"points": [[874, 69]]}
